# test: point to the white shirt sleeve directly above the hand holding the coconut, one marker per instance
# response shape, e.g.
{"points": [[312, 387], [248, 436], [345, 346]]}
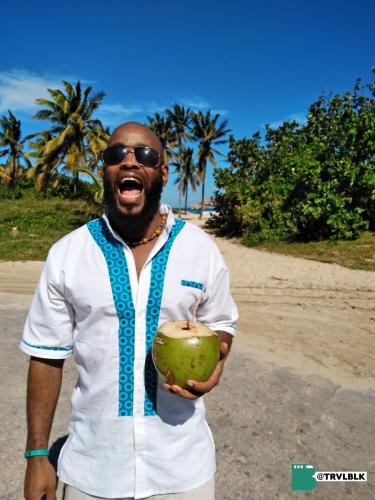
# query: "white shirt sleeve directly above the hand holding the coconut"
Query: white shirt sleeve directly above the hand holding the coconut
{"points": [[218, 310]]}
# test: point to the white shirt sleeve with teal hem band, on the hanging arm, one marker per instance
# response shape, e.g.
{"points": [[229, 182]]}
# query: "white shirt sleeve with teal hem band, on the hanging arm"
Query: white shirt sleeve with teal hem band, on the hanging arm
{"points": [[48, 331]]}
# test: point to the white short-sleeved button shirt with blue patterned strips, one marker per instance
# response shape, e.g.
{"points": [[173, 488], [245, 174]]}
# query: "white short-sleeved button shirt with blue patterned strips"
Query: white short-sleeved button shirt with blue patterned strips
{"points": [[128, 436]]}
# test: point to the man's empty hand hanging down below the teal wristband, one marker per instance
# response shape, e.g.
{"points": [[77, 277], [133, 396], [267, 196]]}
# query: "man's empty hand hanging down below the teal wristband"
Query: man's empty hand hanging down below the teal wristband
{"points": [[40, 479]]}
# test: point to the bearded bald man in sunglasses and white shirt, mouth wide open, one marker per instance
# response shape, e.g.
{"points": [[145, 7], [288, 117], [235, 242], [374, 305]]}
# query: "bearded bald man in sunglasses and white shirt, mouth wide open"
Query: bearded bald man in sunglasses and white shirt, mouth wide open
{"points": [[103, 292]]}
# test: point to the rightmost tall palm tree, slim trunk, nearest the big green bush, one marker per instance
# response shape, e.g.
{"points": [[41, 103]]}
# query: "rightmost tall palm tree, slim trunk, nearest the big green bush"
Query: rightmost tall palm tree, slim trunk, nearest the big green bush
{"points": [[207, 132]]}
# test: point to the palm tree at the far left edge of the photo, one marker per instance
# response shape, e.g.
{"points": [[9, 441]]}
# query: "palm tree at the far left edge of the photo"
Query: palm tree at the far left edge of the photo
{"points": [[10, 140]]}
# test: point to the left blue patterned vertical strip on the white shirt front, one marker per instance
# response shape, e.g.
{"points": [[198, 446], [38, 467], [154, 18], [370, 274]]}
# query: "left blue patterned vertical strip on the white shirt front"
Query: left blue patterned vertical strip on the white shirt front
{"points": [[122, 295]]}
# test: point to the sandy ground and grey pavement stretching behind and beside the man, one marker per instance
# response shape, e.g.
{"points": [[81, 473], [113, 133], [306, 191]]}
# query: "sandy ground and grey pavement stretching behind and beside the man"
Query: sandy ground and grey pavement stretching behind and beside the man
{"points": [[298, 388]]}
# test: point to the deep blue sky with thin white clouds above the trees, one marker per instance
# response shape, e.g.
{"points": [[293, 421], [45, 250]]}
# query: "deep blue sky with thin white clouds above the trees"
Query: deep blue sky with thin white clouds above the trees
{"points": [[253, 62]]}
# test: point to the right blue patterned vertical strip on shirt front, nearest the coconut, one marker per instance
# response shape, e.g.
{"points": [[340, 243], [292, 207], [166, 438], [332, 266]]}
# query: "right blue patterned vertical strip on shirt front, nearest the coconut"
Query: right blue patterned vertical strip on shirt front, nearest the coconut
{"points": [[159, 264]]}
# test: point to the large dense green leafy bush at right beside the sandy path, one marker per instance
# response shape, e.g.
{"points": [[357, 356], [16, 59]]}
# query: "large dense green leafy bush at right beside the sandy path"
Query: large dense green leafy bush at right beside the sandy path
{"points": [[303, 182]]}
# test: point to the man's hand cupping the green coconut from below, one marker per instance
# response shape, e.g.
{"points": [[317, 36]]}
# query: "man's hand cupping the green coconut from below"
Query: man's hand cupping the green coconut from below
{"points": [[197, 389]]}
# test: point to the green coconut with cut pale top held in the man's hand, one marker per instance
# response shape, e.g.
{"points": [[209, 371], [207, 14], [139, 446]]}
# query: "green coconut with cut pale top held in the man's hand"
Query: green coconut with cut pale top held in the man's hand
{"points": [[185, 350]]}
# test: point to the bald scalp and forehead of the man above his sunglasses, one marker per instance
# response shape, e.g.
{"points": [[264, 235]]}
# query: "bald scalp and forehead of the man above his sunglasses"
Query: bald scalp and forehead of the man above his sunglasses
{"points": [[136, 134]]}
